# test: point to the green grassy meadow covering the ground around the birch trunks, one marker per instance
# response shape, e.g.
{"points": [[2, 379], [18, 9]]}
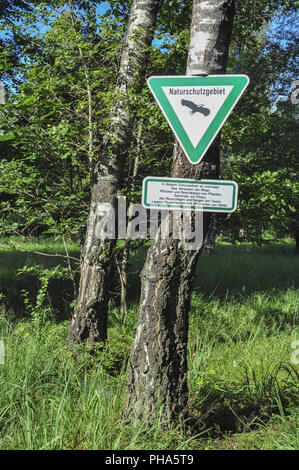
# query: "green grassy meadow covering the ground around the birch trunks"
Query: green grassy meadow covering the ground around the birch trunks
{"points": [[243, 382]]}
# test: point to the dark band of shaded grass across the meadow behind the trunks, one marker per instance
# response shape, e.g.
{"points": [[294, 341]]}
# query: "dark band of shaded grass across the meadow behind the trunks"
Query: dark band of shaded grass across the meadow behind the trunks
{"points": [[234, 271]]}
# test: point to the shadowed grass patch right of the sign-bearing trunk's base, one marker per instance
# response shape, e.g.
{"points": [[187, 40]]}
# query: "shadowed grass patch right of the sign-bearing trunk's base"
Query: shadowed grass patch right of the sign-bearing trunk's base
{"points": [[221, 408]]}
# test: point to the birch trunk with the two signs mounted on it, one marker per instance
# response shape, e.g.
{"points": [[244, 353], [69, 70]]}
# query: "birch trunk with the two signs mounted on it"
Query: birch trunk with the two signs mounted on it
{"points": [[157, 383]]}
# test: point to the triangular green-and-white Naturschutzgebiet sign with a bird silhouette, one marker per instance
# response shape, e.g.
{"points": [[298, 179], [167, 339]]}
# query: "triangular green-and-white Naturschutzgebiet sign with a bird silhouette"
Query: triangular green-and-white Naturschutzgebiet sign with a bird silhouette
{"points": [[197, 107]]}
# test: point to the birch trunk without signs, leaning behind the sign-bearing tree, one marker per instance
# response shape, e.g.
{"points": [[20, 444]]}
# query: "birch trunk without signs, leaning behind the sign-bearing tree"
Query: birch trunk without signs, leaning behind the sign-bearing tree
{"points": [[89, 322]]}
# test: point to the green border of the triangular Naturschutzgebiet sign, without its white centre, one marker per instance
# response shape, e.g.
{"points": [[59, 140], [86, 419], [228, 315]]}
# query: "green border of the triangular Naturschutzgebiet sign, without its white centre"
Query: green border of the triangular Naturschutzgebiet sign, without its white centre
{"points": [[195, 154]]}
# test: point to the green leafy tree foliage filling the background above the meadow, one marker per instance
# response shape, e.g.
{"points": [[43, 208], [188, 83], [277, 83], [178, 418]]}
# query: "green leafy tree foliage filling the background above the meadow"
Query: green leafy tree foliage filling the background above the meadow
{"points": [[61, 77]]}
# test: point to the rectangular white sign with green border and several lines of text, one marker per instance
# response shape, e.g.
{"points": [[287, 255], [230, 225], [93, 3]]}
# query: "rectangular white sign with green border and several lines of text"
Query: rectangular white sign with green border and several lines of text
{"points": [[184, 194]]}
